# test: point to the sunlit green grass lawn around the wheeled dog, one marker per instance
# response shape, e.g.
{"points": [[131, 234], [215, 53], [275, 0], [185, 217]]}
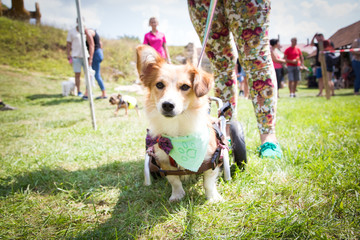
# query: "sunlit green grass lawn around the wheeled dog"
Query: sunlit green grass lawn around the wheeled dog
{"points": [[61, 179]]}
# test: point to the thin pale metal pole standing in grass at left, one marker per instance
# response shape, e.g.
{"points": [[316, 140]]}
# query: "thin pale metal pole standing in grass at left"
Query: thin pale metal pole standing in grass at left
{"points": [[86, 63]]}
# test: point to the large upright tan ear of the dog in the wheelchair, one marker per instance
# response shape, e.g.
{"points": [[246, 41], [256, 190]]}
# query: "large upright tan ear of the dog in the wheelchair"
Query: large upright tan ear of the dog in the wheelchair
{"points": [[148, 59]]}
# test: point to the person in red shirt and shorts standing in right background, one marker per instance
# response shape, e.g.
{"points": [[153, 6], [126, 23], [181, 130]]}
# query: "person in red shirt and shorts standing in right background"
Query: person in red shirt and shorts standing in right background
{"points": [[294, 60]]}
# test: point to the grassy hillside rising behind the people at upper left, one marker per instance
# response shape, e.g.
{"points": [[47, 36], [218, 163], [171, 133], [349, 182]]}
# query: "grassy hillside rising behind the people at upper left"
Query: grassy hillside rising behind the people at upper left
{"points": [[43, 49]]}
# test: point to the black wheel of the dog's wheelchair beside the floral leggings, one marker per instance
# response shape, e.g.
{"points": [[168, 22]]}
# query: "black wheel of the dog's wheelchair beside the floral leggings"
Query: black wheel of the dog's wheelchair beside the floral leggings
{"points": [[238, 146]]}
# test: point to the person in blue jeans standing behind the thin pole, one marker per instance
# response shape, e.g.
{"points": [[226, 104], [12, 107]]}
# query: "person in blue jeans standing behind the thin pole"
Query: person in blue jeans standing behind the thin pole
{"points": [[94, 47]]}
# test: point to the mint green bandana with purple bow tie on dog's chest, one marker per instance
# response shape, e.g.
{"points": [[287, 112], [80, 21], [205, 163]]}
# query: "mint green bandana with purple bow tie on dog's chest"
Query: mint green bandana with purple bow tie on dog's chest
{"points": [[188, 151]]}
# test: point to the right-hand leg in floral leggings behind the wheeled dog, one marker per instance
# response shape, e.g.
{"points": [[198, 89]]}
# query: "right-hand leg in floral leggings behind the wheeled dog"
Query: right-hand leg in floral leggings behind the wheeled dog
{"points": [[249, 23]]}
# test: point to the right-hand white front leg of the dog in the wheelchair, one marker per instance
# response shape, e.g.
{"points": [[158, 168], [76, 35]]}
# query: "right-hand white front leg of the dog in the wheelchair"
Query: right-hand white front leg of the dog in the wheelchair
{"points": [[210, 178]]}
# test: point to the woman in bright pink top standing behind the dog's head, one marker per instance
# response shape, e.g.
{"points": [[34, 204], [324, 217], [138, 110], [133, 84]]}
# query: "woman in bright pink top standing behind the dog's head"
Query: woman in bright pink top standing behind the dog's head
{"points": [[157, 39]]}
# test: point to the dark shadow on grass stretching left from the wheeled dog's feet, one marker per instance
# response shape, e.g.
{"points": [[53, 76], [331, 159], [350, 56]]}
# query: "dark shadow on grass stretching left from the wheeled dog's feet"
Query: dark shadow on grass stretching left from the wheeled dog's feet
{"points": [[138, 209]]}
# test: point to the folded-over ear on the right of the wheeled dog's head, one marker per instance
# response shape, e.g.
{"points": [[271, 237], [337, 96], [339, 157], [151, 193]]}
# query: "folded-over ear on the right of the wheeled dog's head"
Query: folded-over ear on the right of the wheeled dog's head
{"points": [[201, 80]]}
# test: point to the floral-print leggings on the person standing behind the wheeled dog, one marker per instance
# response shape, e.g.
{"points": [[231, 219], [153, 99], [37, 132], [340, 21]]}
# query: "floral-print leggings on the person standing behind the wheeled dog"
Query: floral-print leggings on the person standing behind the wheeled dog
{"points": [[248, 21]]}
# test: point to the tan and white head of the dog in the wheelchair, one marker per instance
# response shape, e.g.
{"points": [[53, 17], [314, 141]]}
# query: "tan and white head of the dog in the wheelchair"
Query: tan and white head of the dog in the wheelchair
{"points": [[171, 89]]}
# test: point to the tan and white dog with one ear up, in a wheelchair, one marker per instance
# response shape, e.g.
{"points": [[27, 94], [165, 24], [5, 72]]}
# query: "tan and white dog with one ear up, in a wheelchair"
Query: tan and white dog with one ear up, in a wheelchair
{"points": [[176, 106]]}
